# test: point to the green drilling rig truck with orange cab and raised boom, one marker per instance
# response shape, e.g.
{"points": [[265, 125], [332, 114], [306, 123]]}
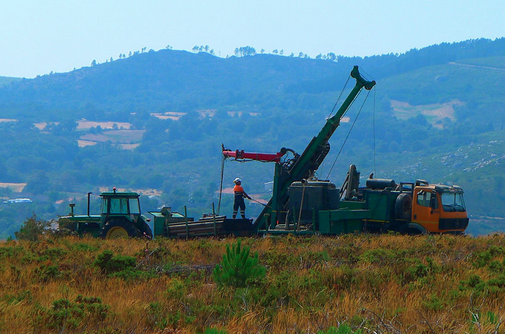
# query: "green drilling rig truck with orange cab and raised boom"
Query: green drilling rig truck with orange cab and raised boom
{"points": [[302, 204]]}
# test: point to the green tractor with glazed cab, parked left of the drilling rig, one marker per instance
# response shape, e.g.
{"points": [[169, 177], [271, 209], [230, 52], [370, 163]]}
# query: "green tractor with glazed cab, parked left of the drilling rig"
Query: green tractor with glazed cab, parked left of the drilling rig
{"points": [[120, 217]]}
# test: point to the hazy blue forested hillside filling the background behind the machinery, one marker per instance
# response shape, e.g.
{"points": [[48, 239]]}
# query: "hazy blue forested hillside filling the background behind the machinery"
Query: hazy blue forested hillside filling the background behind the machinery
{"points": [[154, 123]]}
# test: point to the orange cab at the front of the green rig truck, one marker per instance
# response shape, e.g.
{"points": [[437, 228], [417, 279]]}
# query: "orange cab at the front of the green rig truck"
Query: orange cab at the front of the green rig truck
{"points": [[438, 208]]}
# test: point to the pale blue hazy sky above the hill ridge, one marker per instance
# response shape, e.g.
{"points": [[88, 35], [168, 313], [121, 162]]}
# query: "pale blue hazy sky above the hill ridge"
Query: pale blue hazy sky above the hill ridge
{"points": [[40, 36]]}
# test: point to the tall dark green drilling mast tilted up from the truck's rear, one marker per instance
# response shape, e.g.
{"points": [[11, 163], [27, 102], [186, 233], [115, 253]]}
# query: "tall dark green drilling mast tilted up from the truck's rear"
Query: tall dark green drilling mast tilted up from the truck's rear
{"points": [[309, 161]]}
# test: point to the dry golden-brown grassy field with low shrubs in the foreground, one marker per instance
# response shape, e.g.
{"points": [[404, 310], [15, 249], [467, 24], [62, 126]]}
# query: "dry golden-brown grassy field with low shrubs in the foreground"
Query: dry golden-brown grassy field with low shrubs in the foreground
{"points": [[346, 284]]}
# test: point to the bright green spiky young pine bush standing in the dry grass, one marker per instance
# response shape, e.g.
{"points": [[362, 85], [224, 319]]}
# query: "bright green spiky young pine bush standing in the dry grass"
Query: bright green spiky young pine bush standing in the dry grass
{"points": [[238, 269]]}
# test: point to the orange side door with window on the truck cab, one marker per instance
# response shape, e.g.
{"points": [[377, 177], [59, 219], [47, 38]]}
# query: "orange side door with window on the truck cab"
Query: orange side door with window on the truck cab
{"points": [[425, 209]]}
